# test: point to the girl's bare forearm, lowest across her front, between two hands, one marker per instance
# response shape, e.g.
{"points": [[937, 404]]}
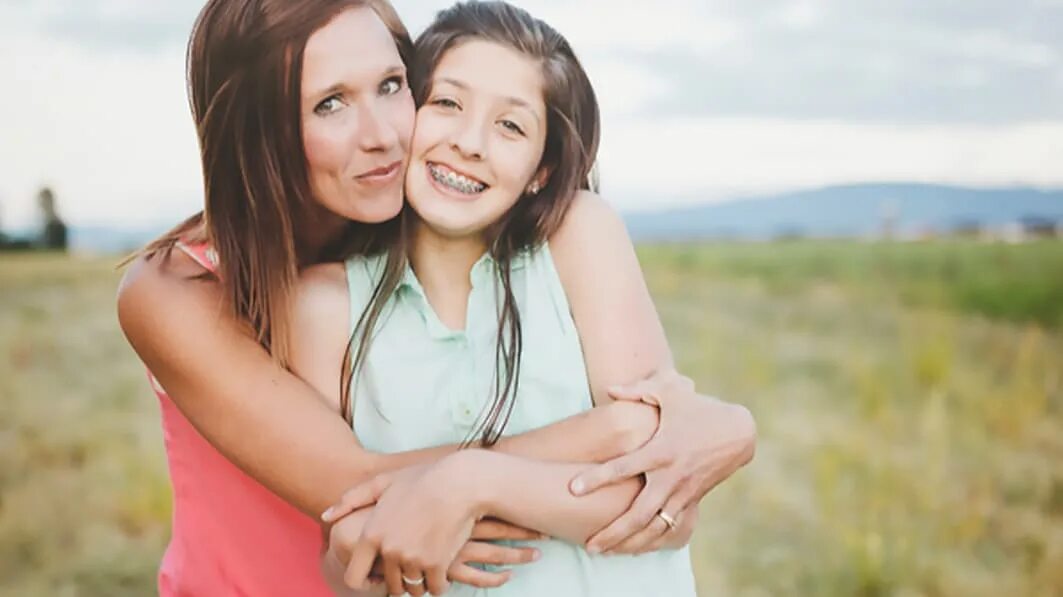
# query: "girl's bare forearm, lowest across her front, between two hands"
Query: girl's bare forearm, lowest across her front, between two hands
{"points": [[539, 500]]}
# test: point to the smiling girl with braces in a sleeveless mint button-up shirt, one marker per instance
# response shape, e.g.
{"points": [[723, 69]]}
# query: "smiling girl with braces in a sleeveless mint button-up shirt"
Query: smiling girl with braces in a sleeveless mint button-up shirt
{"points": [[477, 286]]}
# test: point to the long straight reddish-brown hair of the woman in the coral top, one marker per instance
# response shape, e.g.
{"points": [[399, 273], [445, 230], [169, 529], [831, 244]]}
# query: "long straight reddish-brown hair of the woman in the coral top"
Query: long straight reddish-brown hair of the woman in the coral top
{"points": [[245, 65]]}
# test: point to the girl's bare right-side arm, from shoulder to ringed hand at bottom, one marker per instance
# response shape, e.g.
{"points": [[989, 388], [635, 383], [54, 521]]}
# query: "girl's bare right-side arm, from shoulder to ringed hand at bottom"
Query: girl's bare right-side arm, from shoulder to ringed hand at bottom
{"points": [[623, 342]]}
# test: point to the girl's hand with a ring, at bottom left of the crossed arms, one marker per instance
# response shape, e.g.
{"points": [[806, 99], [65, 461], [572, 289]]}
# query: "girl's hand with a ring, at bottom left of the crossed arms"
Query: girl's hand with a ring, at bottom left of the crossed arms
{"points": [[423, 520]]}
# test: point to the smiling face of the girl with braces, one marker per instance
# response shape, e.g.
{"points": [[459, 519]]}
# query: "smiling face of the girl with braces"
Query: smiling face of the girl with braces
{"points": [[480, 139]]}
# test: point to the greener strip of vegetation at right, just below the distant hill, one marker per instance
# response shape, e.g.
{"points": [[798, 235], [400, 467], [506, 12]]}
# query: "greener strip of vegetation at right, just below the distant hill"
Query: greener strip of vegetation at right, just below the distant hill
{"points": [[1021, 283]]}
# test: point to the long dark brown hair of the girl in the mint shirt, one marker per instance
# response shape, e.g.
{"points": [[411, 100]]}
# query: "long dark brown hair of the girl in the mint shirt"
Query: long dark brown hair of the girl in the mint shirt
{"points": [[571, 148]]}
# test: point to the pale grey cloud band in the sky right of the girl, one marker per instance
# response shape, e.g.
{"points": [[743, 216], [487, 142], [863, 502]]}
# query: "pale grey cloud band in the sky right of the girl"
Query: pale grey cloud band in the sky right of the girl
{"points": [[903, 62]]}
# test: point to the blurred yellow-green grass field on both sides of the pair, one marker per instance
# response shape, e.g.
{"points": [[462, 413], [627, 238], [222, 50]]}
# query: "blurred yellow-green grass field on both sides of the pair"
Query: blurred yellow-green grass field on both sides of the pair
{"points": [[909, 401]]}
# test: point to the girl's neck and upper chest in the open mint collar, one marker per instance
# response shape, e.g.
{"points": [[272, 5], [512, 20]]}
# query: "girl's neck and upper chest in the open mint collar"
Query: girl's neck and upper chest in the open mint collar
{"points": [[443, 266]]}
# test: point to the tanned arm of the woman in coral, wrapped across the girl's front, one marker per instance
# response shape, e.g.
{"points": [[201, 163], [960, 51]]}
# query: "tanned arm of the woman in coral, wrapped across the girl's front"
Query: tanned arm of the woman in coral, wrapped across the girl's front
{"points": [[226, 384]]}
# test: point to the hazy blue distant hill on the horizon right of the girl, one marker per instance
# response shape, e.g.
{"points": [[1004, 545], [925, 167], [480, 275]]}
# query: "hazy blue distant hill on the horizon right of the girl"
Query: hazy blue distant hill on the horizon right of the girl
{"points": [[850, 211]]}
